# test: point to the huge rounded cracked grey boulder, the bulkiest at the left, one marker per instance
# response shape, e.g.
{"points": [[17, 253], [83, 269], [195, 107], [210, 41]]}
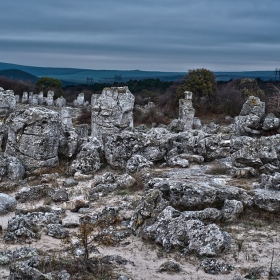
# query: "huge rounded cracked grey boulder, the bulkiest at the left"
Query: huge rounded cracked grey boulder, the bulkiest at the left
{"points": [[33, 137]]}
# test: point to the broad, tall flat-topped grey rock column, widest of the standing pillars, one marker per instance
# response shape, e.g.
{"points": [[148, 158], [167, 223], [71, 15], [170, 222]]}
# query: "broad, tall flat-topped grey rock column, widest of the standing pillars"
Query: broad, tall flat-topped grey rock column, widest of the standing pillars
{"points": [[112, 111]]}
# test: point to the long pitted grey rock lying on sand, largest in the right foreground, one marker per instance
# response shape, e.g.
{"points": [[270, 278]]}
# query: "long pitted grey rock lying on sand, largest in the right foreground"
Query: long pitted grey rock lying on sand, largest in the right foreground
{"points": [[171, 229]]}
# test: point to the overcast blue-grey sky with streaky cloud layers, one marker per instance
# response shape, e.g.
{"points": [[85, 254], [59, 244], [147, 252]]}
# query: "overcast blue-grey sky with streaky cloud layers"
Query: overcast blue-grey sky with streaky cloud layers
{"points": [[155, 35]]}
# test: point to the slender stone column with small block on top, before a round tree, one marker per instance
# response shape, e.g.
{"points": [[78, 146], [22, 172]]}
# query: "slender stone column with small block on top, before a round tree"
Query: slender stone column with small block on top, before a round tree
{"points": [[186, 111]]}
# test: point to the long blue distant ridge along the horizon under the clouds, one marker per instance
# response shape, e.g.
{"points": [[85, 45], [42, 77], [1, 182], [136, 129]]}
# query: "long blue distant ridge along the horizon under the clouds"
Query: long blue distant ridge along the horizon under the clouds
{"points": [[79, 76]]}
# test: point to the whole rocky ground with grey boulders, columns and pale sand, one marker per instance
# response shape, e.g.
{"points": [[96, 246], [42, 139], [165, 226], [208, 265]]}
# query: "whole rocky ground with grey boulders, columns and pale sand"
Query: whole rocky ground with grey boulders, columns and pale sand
{"points": [[114, 201]]}
